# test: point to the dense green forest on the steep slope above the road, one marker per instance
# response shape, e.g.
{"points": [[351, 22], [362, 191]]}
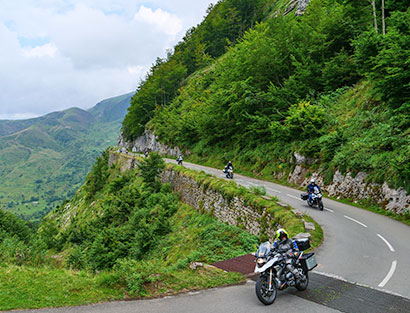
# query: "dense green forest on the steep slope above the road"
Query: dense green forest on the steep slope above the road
{"points": [[254, 85]]}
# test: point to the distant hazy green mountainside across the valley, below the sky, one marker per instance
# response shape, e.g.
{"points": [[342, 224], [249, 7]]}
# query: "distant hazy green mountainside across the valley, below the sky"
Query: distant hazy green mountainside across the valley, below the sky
{"points": [[44, 160]]}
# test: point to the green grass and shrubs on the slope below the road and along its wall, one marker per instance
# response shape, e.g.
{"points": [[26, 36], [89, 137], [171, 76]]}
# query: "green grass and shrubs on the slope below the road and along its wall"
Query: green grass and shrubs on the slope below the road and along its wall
{"points": [[125, 235]]}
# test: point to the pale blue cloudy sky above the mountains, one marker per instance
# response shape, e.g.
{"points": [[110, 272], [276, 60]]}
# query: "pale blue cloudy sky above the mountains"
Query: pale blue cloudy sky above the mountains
{"points": [[57, 54]]}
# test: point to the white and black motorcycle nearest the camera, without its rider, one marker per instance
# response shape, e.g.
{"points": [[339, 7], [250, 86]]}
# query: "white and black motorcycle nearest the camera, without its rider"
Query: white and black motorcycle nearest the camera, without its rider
{"points": [[273, 274]]}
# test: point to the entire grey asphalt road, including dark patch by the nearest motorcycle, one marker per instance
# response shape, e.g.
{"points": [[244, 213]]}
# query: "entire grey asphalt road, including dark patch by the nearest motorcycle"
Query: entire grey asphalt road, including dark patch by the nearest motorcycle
{"points": [[364, 267]]}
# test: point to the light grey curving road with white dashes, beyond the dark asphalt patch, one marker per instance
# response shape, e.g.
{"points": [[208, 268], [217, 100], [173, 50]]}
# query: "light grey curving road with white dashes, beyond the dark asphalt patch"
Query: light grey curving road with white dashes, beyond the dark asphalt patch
{"points": [[359, 246]]}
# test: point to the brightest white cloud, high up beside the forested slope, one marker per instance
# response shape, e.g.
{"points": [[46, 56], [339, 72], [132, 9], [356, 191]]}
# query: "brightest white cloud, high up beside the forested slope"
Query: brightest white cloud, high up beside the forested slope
{"points": [[164, 21]]}
